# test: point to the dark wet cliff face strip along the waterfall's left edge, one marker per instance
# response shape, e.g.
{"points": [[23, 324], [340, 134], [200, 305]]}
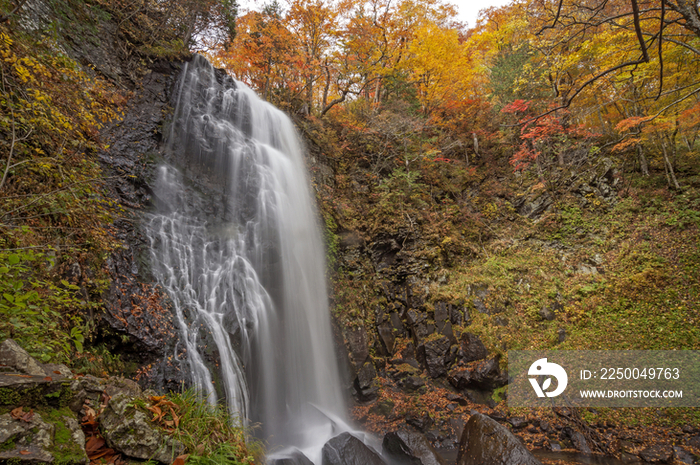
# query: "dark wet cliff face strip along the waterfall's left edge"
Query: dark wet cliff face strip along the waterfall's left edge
{"points": [[137, 320]]}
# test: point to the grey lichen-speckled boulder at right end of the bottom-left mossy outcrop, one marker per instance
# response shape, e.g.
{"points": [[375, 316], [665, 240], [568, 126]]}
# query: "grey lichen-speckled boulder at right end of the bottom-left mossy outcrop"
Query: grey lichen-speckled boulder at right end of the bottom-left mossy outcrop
{"points": [[131, 432]]}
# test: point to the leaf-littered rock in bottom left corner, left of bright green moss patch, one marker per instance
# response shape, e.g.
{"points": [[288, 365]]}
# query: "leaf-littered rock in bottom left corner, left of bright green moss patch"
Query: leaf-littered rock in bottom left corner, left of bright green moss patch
{"points": [[26, 441]]}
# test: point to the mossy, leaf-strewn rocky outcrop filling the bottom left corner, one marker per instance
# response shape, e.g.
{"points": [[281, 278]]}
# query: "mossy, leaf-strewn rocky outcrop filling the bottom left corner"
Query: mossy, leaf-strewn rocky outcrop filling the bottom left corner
{"points": [[45, 410]]}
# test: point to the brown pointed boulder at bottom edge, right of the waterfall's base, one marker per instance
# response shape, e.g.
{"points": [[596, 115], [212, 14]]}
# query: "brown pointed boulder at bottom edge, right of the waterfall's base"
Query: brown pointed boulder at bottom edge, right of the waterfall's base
{"points": [[486, 442]]}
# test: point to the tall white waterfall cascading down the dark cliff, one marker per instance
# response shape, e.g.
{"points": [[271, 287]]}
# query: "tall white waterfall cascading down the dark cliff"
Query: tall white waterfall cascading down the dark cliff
{"points": [[235, 243]]}
